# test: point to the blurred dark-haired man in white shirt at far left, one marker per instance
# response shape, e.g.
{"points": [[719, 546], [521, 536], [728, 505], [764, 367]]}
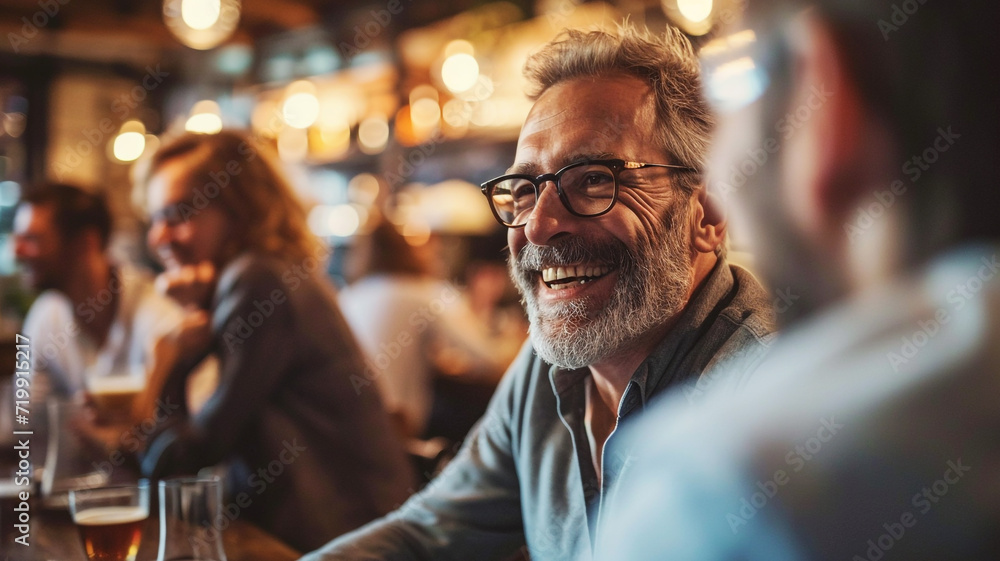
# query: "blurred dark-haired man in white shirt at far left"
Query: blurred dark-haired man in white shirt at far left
{"points": [[96, 322]]}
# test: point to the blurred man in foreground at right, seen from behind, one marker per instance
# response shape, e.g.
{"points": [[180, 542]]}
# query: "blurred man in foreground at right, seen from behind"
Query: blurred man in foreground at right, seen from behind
{"points": [[871, 429]]}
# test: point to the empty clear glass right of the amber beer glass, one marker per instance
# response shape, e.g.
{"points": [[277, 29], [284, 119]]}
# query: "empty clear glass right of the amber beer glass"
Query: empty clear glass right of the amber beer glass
{"points": [[191, 520]]}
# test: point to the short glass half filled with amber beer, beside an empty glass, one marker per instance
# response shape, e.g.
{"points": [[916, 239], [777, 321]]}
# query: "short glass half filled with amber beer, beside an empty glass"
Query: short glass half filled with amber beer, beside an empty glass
{"points": [[110, 520]]}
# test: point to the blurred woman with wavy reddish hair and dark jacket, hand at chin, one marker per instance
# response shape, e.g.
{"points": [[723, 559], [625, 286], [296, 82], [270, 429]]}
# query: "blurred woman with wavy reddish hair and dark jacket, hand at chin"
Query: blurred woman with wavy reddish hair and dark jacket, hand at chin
{"points": [[310, 458]]}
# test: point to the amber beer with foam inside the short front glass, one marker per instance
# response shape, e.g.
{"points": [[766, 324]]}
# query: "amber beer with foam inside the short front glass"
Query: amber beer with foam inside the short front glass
{"points": [[111, 533]]}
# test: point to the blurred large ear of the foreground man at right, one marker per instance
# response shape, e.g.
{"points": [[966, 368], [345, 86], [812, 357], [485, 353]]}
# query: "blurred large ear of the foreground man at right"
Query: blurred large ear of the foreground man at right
{"points": [[828, 138]]}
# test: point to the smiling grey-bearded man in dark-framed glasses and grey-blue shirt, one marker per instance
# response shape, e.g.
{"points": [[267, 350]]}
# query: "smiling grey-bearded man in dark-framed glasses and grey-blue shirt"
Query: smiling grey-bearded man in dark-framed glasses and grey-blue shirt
{"points": [[617, 253]]}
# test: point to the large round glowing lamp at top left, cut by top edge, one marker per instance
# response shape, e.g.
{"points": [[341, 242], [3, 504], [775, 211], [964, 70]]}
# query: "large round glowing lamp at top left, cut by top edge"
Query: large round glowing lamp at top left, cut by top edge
{"points": [[201, 24]]}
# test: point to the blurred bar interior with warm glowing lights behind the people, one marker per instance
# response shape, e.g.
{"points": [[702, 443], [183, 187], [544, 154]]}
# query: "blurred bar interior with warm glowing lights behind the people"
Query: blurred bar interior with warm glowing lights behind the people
{"points": [[379, 111]]}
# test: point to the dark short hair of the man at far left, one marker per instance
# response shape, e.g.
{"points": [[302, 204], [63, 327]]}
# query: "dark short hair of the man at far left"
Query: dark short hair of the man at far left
{"points": [[74, 210]]}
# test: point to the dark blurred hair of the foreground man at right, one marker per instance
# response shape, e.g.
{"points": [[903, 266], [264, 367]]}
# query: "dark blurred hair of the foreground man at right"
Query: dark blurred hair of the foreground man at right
{"points": [[921, 68]]}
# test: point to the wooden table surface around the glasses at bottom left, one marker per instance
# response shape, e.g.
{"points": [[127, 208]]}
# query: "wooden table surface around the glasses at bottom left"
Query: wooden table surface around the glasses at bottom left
{"points": [[55, 538]]}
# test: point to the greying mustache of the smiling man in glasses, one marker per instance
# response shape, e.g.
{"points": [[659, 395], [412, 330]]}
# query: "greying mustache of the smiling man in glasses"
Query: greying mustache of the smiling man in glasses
{"points": [[571, 251]]}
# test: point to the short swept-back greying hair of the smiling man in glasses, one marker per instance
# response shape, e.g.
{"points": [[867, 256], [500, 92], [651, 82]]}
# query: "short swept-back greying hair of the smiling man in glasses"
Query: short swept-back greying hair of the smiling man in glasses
{"points": [[666, 62]]}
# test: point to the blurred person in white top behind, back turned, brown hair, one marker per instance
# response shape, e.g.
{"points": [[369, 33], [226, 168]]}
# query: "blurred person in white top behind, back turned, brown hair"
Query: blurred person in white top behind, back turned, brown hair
{"points": [[405, 319]]}
